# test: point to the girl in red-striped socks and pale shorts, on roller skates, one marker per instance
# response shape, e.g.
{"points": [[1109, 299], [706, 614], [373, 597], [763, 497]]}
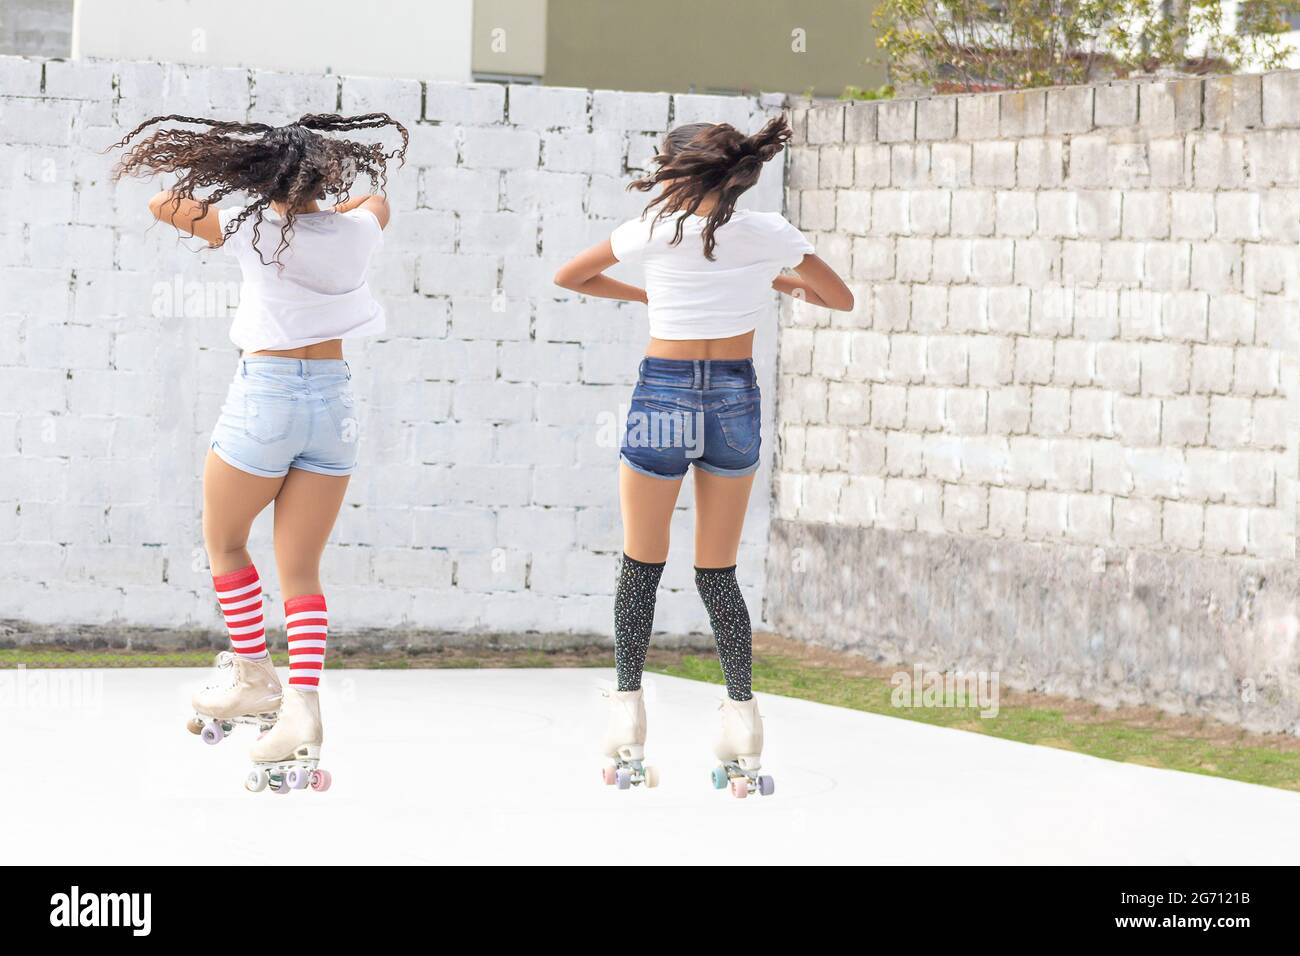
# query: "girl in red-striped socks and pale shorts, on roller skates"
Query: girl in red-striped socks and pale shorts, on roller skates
{"points": [[288, 432]]}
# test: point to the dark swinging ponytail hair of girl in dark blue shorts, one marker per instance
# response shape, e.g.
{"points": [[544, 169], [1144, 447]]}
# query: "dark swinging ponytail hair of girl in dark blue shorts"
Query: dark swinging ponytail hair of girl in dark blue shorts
{"points": [[701, 159]]}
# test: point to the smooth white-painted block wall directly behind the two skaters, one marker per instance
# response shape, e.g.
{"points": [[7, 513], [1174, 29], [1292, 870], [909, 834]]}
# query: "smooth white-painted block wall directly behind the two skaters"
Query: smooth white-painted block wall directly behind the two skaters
{"points": [[487, 492]]}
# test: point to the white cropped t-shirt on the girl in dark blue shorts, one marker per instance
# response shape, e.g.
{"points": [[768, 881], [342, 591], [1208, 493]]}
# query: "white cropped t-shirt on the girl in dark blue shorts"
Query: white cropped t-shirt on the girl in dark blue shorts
{"points": [[692, 297]]}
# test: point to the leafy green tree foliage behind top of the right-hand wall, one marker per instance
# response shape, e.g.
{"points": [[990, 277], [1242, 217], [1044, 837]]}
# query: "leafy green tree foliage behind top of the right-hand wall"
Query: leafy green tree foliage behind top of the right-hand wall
{"points": [[982, 45]]}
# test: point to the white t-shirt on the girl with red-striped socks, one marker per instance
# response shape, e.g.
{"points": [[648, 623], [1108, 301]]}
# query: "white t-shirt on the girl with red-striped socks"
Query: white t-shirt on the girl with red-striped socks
{"points": [[319, 295]]}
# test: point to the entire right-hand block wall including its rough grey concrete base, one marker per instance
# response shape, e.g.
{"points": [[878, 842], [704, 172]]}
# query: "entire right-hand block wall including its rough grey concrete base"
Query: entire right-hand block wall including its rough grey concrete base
{"points": [[1058, 436]]}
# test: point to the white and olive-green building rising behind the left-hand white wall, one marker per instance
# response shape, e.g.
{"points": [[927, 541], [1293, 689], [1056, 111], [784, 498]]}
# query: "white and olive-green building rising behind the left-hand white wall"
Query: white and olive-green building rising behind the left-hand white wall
{"points": [[679, 46]]}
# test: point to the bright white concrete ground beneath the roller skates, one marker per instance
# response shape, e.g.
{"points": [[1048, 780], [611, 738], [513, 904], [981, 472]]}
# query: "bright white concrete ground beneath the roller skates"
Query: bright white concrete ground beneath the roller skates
{"points": [[489, 767]]}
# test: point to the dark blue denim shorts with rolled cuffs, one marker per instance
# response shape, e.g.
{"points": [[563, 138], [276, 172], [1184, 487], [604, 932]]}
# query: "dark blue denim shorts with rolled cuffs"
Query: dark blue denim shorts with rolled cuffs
{"points": [[694, 412]]}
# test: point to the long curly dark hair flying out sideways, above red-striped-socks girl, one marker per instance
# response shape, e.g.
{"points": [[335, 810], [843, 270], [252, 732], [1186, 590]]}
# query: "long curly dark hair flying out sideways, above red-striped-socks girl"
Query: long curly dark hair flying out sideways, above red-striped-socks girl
{"points": [[291, 165]]}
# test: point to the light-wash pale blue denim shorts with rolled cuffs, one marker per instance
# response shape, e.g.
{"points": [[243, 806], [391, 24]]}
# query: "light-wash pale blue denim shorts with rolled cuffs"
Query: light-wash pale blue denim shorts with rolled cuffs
{"points": [[284, 414]]}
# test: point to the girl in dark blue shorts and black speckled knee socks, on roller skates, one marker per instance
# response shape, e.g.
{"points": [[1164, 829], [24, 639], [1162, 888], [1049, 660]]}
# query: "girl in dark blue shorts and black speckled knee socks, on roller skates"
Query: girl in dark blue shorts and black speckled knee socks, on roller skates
{"points": [[710, 270]]}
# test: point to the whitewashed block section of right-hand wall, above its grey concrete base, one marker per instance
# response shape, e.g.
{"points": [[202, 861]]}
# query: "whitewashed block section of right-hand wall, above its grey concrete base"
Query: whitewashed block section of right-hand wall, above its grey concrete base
{"points": [[1077, 317]]}
